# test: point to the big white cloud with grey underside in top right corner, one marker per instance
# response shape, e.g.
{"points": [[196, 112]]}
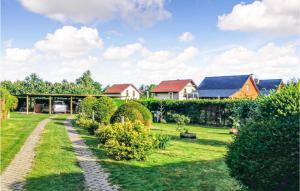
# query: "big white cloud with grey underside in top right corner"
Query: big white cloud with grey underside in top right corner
{"points": [[268, 16]]}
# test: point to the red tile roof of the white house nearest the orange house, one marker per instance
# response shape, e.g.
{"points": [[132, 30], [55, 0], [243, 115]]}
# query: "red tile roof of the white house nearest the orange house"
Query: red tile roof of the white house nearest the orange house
{"points": [[172, 85]]}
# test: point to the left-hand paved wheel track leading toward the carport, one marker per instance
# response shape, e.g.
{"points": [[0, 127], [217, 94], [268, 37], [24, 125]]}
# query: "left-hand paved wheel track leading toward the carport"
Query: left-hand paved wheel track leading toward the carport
{"points": [[13, 178]]}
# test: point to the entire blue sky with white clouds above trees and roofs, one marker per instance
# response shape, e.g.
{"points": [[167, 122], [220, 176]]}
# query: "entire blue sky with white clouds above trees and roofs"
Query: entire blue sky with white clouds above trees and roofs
{"points": [[146, 41]]}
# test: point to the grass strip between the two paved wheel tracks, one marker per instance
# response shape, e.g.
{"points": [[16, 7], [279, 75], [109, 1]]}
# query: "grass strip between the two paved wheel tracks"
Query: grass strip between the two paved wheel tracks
{"points": [[55, 166]]}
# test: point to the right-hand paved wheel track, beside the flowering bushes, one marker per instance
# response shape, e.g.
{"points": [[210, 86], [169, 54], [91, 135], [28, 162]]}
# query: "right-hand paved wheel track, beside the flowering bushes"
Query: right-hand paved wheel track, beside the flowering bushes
{"points": [[95, 176]]}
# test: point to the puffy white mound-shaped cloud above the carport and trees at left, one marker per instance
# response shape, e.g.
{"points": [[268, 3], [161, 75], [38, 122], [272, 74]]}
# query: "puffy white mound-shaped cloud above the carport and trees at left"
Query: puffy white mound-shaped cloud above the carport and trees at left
{"points": [[70, 41]]}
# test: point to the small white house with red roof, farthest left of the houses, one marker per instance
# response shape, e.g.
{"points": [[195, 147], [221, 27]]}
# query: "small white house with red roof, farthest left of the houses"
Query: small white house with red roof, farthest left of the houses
{"points": [[123, 91]]}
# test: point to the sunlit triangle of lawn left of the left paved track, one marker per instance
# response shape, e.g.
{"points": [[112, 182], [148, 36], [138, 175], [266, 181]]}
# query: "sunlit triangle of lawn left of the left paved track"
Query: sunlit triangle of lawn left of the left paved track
{"points": [[14, 133]]}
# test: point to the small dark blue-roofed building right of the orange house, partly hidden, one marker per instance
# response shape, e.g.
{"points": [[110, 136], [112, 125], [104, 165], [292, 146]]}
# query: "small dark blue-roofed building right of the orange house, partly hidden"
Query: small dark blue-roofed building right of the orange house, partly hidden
{"points": [[266, 86]]}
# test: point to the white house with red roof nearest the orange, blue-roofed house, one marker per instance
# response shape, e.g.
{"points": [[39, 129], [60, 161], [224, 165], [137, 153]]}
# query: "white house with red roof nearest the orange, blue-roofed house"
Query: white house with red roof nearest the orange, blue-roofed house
{"points": [[176, 89]]}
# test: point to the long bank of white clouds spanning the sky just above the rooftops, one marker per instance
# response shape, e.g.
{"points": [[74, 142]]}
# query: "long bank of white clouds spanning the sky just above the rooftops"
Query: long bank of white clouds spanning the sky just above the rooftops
{"points": [[54, 58]]}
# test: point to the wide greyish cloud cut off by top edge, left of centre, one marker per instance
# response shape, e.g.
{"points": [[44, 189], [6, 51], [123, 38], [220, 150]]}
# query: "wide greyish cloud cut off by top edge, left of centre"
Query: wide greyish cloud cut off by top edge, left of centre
{"points": [[136, 13]]}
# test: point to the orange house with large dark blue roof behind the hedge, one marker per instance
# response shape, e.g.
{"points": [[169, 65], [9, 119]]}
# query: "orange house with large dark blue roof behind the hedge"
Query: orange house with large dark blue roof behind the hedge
{"points": [[239, 86]]}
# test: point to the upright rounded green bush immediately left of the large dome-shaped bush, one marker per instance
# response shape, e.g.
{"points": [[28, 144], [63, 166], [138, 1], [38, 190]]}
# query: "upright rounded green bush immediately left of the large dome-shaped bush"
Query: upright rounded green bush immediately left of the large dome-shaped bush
{"points": [[104, 107]]}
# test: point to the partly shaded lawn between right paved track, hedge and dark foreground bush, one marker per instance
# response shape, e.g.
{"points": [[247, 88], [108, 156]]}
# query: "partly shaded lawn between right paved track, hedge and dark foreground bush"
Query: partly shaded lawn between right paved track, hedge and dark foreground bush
{"points": [[184, 165]]}
